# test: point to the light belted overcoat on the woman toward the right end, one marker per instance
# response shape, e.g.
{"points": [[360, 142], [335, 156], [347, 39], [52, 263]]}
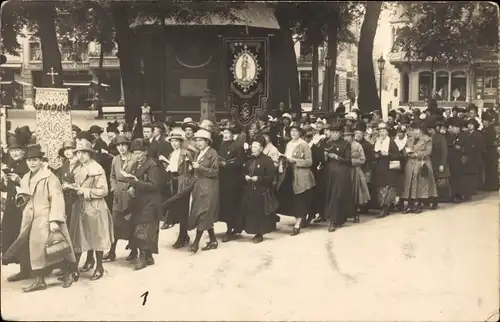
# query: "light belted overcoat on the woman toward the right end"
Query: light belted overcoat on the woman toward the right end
{"points": [[416, 185]]}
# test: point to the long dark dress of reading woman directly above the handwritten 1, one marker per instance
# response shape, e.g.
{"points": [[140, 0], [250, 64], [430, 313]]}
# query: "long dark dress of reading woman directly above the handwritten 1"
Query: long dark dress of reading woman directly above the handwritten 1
{"points": [[146, 207]]}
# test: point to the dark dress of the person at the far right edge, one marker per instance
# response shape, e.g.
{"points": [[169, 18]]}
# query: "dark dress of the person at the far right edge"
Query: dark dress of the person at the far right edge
{"points": [[490, 159]]}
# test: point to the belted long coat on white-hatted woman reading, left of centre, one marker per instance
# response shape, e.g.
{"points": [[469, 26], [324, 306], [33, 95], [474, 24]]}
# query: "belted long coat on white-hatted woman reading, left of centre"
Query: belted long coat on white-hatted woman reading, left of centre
{"points": [[204, 203]]}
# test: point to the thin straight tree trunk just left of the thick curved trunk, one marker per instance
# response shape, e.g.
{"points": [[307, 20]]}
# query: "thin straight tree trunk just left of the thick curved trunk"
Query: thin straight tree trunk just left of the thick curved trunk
{"points": [[331, 52]]}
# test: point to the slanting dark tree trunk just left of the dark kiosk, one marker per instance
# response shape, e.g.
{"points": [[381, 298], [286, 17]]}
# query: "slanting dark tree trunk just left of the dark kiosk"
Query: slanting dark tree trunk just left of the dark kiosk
{"points": [[129, 63]]}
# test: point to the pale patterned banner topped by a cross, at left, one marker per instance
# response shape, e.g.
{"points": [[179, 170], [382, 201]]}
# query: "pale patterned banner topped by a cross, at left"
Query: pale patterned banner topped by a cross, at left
{"points": [[53, 122]]}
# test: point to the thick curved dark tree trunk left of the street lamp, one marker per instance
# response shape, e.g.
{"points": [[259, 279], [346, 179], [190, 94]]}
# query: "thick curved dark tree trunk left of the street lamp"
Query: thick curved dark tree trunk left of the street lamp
{"points": [[368, 99]]}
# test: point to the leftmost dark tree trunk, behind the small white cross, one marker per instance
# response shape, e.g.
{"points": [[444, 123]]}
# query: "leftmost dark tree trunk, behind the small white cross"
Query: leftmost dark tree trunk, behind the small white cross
{"points": [[51, 61]]}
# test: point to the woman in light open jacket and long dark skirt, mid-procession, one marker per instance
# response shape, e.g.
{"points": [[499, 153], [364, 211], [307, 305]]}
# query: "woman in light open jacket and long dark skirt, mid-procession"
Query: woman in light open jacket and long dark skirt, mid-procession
{"points": [[296, 182]]}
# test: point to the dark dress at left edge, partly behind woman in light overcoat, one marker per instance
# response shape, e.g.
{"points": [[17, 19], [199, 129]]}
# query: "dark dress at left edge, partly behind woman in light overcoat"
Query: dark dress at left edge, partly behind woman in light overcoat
{"points": [[11, 220]]}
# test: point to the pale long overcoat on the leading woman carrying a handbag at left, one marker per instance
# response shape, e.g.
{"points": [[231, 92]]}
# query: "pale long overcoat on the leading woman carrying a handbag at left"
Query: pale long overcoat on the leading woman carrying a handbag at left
{"points": [[46, 204]]}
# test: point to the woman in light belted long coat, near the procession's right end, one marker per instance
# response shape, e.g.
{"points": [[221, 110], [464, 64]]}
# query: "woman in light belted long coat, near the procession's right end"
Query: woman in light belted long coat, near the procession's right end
{"points": [[419, 183]]}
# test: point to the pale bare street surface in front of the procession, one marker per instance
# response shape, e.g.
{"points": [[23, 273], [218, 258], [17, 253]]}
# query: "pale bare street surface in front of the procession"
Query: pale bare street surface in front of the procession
{"points": [[440, 265]]}
